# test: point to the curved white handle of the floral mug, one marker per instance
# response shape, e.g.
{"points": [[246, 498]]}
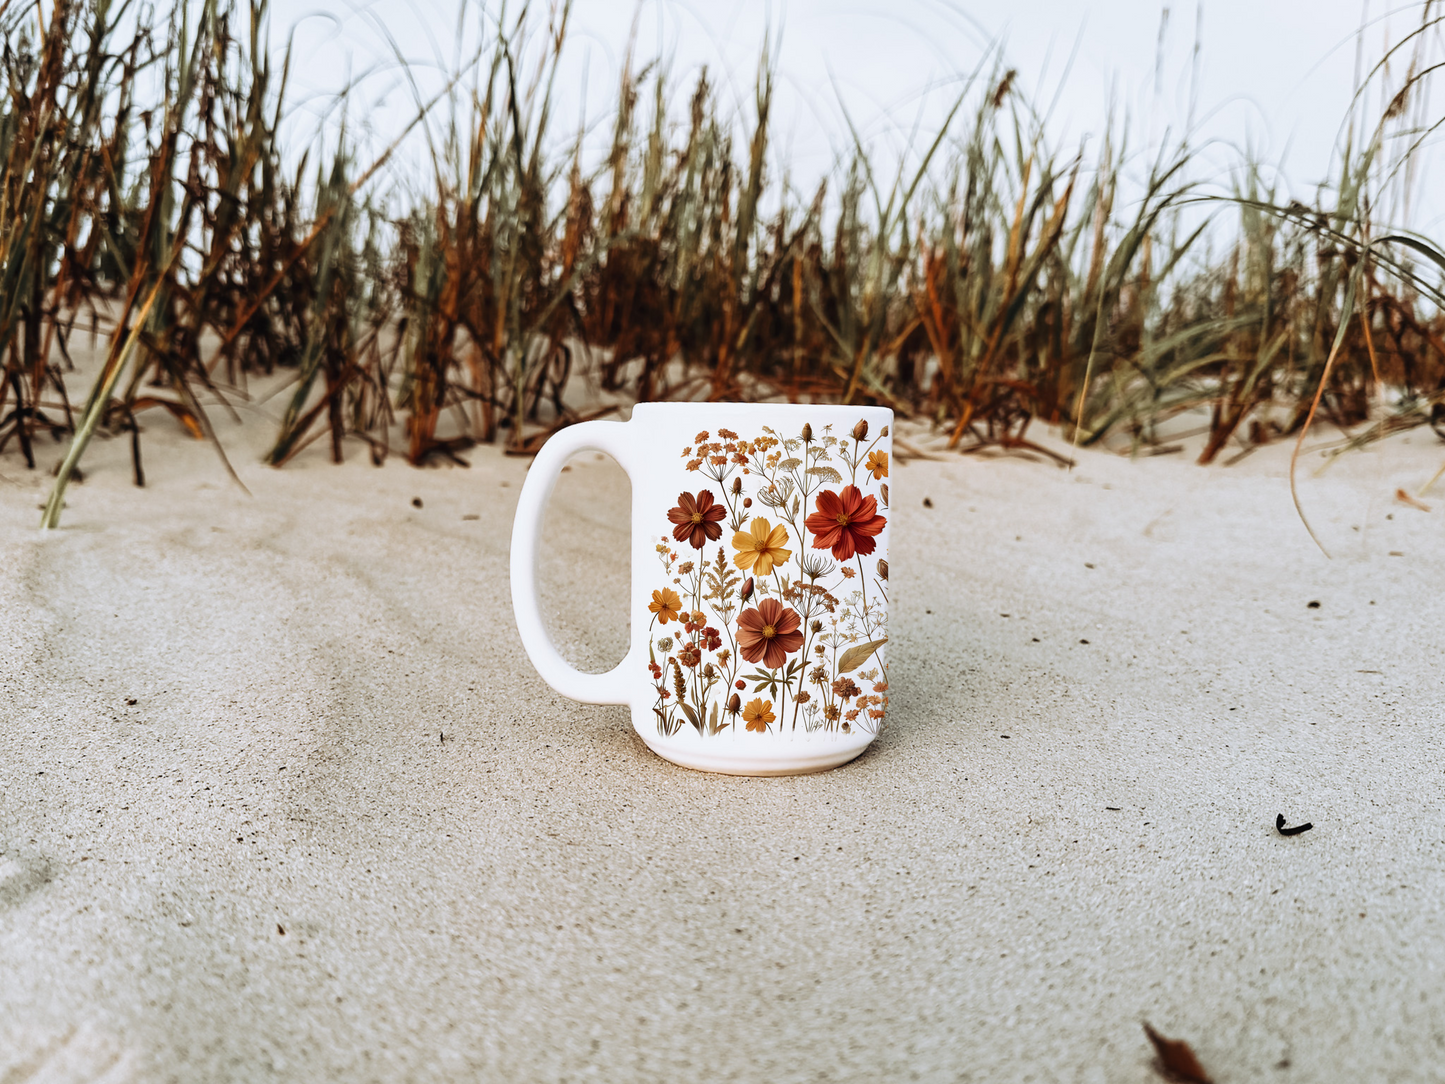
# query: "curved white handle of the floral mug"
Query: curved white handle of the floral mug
{"points": [[612, 439]]}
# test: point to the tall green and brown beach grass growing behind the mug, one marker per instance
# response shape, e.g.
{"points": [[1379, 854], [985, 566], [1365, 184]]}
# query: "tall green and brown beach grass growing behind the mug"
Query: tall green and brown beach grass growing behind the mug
{"points": [[986, 283]]}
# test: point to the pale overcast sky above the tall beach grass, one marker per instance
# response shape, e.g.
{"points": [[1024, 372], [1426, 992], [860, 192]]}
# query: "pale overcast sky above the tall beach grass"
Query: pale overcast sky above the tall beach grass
{"points": [[1275, 76]]}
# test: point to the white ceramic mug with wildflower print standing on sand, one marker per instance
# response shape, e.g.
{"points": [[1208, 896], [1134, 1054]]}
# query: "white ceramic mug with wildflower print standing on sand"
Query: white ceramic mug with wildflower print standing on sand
{"points": [[759, 582]]}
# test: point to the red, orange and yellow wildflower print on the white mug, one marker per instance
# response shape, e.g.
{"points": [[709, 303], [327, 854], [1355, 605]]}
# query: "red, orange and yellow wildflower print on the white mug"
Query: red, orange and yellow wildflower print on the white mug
{"points": [[772, 614]]}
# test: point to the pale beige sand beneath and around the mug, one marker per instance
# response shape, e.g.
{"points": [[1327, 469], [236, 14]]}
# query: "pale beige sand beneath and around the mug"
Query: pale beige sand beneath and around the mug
{"points": [[284, 800]]}
